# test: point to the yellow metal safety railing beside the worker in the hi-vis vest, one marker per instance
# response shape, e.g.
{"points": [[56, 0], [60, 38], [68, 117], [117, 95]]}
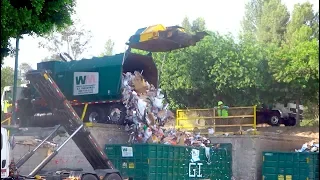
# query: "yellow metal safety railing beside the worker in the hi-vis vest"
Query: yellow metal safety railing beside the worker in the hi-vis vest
{"points": [[238, 119]]}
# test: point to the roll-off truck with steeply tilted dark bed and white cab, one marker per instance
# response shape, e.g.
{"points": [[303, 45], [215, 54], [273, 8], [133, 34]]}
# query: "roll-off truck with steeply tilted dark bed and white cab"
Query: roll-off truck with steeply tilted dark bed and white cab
{"points": [[73, 125]]}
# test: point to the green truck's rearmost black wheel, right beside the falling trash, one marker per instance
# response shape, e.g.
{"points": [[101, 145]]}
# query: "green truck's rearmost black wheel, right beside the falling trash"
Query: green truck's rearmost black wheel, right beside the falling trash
{"points": [[116, 114]]}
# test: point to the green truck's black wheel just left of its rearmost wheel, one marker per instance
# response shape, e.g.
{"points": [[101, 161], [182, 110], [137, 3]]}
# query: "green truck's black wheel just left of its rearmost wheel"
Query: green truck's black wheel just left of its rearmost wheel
{"points": [[94, 114]]}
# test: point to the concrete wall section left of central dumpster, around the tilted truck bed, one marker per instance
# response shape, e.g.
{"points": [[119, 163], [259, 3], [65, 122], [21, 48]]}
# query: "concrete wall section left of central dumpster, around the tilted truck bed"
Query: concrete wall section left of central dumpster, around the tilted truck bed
{"points": [[70, 156]]}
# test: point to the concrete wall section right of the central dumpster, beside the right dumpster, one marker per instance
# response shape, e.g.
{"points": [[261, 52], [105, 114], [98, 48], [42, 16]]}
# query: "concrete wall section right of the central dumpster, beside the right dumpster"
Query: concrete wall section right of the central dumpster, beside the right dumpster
{"points": [[247, 152]]}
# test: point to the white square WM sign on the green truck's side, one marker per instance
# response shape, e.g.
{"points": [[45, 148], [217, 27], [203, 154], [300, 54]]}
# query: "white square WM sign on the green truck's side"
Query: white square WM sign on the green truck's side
{"points": [[85, 83]]}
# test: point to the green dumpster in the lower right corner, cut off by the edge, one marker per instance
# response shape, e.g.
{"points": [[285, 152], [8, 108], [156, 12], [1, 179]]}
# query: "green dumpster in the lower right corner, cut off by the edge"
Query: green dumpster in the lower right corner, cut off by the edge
{"points": [[290, 166]]}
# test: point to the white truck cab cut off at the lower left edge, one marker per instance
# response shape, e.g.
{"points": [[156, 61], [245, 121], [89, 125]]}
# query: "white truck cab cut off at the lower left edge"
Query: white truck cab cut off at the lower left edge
{"points": [[5, 153]]}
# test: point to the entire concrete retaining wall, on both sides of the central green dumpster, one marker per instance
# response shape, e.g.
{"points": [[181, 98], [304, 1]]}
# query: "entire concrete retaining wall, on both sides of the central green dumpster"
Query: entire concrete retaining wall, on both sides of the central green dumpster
{"points": [[246, 151]]}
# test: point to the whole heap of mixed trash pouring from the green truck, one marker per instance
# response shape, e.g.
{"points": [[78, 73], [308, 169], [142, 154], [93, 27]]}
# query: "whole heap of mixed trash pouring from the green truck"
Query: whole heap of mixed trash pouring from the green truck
{"points": [[147, 115]]}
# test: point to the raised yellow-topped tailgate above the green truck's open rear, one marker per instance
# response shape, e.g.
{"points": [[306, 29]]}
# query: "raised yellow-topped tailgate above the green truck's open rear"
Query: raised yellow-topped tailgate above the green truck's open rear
{"points": [[158, 38]]}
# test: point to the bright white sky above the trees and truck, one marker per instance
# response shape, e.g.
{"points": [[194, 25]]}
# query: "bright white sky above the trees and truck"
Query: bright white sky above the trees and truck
{"points": [[119, 19]]}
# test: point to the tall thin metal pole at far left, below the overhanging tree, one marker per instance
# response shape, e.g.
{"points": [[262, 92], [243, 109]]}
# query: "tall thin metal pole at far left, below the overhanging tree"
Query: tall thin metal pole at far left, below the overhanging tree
{"points": [[15, 77]]}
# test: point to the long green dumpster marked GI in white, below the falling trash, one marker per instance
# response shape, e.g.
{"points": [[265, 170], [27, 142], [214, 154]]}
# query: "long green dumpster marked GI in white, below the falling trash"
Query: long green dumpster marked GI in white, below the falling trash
{"points": [[167, 162]]}
